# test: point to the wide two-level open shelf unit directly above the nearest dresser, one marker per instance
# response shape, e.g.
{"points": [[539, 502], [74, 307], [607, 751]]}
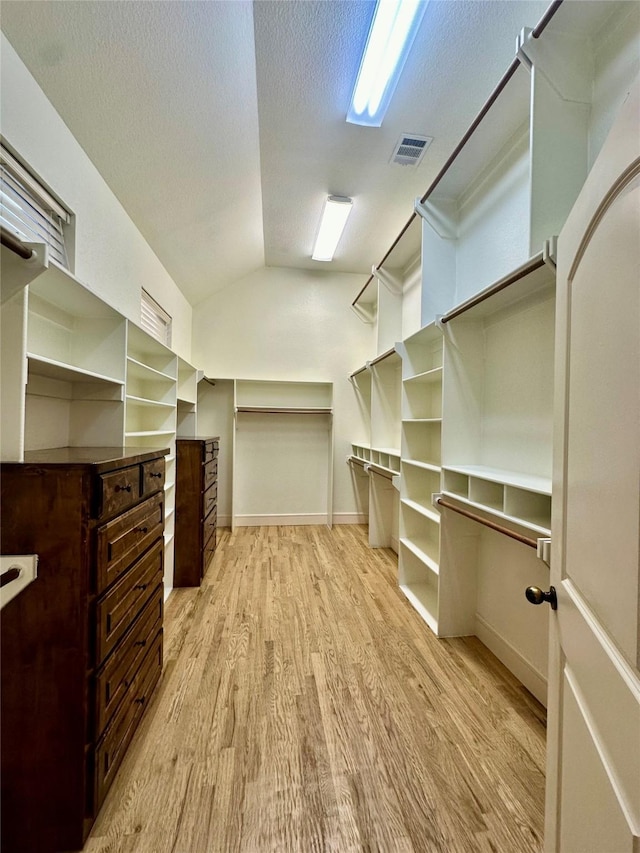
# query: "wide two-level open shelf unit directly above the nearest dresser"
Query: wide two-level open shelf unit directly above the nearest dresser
{"points": [[74, 348]]}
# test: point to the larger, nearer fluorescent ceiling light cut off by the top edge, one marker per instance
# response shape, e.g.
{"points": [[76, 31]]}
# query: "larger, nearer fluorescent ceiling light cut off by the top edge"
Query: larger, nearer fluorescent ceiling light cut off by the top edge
{"points": [[393, 29]]}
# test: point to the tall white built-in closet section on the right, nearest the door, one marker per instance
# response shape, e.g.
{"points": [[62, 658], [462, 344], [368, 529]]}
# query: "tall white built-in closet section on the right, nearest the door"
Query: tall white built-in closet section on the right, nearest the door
{"points": [[479, 429]]}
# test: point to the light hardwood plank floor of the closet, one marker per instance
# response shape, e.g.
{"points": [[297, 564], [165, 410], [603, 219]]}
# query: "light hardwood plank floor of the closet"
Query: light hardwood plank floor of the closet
{"points": [[306, 707]]}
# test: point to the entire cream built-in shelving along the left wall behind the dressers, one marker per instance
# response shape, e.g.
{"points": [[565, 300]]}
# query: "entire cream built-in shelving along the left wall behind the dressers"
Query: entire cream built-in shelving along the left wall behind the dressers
{"points": [[76, 373]]}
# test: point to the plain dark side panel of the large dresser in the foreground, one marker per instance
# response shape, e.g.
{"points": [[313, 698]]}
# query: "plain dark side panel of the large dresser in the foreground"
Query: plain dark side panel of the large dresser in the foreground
{"points": [[43, 681]]}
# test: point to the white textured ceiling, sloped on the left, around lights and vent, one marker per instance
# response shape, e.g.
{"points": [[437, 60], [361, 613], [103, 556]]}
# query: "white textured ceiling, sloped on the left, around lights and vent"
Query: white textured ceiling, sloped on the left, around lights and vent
{"points": [[220, 125]]}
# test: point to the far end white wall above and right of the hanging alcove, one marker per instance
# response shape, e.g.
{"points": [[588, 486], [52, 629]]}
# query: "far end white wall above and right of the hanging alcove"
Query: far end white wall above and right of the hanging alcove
{"points": [[296, 325]]}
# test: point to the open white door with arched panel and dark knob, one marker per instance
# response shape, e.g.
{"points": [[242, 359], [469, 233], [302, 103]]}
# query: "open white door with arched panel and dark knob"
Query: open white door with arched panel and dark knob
{"points": [[593, 778]]}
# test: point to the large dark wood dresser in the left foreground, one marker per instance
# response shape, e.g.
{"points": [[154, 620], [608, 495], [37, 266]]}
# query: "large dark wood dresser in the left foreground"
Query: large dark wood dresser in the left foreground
{"points": [[82, 644]]}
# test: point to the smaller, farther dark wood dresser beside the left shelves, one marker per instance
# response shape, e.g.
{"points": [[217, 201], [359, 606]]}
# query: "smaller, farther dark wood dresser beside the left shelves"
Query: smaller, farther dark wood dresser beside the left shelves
{"points": [[196, 508]]}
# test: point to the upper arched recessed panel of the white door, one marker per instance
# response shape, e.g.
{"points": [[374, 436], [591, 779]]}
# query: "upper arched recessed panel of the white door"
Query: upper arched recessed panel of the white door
{"points": [[603, 421]]}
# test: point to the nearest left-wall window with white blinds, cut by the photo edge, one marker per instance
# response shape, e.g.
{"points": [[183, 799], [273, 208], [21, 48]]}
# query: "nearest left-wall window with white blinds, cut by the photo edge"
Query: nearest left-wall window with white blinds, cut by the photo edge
{"points": [[28, 210]]}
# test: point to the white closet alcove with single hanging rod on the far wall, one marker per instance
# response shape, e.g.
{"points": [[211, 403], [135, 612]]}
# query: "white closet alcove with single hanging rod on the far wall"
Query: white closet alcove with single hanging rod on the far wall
{"points": [[282, 452]]}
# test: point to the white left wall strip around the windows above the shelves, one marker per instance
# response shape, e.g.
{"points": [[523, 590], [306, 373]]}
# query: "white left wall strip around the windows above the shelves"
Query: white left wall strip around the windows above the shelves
{"points": [[111, 258]]}
